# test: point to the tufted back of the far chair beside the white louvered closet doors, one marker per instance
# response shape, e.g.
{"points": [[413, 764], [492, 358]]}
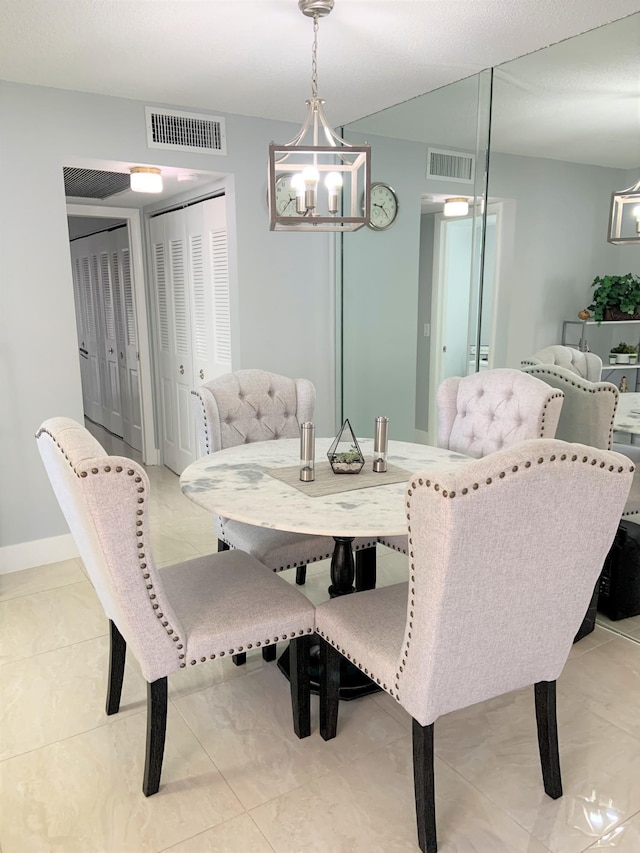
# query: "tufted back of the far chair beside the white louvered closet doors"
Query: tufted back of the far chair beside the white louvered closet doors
{"points": [[251, 405]]}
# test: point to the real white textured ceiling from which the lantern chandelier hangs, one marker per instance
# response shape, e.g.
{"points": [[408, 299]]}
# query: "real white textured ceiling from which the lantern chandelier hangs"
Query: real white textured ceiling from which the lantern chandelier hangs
{"points": [[252, 57]]}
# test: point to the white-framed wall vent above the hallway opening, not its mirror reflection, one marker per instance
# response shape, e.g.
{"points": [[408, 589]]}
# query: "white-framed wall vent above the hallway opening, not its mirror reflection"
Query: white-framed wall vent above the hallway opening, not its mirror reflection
{"points": [[185, 131]]}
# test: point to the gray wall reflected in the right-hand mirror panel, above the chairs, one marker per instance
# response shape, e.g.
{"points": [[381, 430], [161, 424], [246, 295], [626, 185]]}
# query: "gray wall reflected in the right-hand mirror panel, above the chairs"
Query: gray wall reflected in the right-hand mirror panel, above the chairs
{"points": [[558, 218]]}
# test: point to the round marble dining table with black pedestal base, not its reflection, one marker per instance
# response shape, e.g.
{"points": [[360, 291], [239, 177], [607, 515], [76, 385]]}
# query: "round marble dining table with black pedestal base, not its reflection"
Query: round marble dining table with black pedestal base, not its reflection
{"points": [[258, 483]]}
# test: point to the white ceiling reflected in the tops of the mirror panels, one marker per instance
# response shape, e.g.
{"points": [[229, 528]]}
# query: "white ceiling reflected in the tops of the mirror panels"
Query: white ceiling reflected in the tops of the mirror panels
{"points": [[578, 100]]}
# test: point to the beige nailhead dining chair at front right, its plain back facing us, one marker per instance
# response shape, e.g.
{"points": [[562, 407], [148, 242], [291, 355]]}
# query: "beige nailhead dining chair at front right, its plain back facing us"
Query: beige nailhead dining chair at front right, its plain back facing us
{"points": [[492, 604]]}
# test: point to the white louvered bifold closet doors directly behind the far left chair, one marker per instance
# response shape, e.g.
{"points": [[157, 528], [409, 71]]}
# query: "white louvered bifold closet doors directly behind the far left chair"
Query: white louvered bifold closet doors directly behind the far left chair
{"points": [[189, 251]]}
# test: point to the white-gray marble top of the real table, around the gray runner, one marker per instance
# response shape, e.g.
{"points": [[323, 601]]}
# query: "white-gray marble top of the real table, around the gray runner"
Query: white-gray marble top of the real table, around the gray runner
{"points": [[234, 483]]}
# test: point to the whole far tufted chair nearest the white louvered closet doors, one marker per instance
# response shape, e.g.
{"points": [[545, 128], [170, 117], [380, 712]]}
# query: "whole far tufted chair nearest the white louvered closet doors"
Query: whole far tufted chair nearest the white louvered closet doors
{"points": [[254, 405]]}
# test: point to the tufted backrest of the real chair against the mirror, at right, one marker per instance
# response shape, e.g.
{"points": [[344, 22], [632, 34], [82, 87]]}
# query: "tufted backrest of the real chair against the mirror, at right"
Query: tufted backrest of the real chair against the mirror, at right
{"points": [[493, 409]]}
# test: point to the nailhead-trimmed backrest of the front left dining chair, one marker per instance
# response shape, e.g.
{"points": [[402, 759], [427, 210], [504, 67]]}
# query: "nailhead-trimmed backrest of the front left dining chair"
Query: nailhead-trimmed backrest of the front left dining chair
{"points": [[105, 502]]}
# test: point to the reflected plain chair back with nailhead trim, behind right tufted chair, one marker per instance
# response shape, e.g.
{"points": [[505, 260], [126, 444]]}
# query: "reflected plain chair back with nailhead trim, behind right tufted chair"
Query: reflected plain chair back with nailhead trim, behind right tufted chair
{"points": [[588, 408]]}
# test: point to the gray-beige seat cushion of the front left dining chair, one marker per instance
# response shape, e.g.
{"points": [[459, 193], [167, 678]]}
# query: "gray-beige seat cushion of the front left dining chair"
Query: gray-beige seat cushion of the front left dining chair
{"points": [[229, 602]]}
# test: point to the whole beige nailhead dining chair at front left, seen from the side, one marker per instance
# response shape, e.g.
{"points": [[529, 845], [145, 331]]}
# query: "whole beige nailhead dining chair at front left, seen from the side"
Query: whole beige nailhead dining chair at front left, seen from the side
{"points": [[175, 617]]}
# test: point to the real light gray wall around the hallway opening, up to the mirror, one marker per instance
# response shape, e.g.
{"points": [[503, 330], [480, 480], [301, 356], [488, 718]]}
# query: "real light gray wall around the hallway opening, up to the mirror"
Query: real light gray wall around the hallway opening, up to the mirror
{"points": [[285, 295]]}
